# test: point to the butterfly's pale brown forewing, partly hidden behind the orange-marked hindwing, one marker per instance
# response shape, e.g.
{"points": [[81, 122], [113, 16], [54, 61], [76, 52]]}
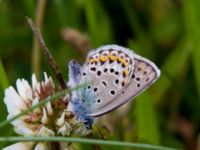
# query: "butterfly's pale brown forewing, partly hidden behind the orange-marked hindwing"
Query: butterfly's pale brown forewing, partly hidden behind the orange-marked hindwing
{"points": [[145, 73]]}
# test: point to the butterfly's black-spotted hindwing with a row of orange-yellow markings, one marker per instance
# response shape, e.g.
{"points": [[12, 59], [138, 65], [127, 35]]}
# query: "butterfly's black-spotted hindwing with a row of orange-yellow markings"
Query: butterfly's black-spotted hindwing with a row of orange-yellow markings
{"points": [[109, 70]]}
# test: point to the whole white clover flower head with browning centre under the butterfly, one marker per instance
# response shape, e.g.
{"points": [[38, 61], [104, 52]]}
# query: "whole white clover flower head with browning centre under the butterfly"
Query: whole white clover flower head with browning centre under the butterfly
{"points": [[54, 118]]}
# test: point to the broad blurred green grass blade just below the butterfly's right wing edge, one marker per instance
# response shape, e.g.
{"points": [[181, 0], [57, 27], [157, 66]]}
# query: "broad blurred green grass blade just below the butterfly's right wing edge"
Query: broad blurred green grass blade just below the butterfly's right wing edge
{"points": [[148, 129]]}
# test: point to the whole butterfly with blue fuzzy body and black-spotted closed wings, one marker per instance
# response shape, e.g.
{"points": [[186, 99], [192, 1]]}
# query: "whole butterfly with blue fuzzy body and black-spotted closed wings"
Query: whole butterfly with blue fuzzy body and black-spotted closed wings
{"points": [[115, 76]]}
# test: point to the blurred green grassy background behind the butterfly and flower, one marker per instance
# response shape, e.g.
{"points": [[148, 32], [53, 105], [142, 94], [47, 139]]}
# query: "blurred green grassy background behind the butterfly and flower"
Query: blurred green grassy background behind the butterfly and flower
{"points": [[165, 31]]}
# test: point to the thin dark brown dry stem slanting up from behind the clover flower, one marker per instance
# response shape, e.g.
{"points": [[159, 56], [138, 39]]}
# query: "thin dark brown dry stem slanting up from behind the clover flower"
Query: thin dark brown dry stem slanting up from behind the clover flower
{"points": [[47, 53]]}
